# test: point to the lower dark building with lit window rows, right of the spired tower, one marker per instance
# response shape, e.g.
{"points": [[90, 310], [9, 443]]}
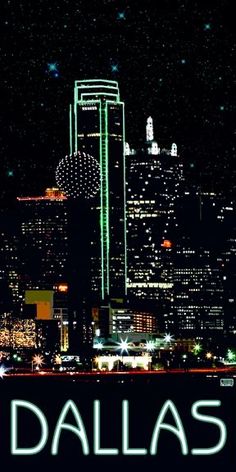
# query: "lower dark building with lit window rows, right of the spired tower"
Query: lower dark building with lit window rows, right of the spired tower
{"points": [[197, 305]]}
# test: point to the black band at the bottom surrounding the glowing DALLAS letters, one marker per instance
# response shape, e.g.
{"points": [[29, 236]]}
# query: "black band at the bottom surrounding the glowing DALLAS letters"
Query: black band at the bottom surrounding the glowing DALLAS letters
{"points": [[146, 395]]}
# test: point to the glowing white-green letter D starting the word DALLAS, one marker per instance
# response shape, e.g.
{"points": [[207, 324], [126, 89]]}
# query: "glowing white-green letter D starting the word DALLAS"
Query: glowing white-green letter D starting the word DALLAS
{"points": [[15, 450]]}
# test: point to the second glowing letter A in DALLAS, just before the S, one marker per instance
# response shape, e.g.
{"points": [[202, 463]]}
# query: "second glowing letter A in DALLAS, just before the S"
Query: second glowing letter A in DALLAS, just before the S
{"points": [[177, 431]]}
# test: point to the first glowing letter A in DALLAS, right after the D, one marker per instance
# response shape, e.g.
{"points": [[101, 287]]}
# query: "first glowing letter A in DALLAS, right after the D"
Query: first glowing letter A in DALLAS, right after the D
{"points": [[79, 430]]}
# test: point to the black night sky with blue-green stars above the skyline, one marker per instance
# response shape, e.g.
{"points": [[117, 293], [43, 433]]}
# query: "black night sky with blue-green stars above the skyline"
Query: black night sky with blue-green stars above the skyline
{"points": [[173, 59]]}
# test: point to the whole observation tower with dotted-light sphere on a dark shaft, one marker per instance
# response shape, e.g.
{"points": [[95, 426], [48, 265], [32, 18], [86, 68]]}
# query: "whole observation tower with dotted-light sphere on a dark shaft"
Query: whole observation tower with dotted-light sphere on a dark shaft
{"points": [[78, 175]]}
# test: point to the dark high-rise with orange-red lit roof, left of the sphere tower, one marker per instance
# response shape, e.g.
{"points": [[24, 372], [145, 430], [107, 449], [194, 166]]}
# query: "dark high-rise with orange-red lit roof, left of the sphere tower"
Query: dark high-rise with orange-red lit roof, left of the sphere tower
{"points": [[42, 261]]}
